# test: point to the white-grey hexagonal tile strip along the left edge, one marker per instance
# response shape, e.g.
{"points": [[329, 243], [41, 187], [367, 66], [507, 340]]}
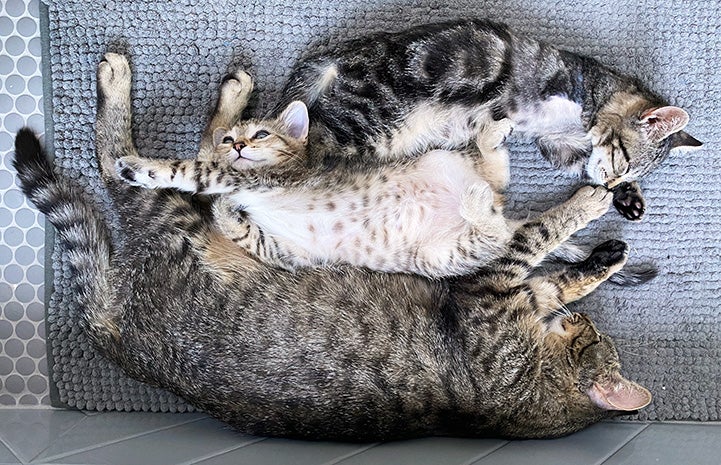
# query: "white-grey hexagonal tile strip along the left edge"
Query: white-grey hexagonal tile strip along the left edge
{"points": [[23, 367]]}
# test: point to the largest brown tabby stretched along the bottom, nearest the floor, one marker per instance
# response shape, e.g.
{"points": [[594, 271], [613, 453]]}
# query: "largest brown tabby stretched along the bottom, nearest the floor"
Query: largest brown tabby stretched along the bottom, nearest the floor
{"points": [[330, 354]]}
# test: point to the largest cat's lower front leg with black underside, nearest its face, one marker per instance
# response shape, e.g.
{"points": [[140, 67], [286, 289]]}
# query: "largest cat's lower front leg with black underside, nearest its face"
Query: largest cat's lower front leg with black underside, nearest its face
{"points": [[576, 280]]}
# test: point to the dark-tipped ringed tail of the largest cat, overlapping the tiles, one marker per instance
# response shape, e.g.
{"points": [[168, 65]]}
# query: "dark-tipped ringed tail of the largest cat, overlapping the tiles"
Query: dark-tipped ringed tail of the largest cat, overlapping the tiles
{"points": [[80, 230]]}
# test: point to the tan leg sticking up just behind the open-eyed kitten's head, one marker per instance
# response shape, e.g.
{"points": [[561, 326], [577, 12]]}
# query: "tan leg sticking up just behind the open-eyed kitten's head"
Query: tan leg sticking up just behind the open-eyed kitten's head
{"points": [[235, 91]]}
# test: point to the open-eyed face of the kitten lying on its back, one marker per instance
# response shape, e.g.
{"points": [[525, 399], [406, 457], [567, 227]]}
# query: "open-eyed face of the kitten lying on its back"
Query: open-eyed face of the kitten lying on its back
{"points": [[256, 143]]}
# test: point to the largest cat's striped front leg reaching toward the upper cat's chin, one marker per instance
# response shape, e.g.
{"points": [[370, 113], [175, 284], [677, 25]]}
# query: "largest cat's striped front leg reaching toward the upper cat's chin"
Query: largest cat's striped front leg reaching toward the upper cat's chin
{"points": [[533, 241]]}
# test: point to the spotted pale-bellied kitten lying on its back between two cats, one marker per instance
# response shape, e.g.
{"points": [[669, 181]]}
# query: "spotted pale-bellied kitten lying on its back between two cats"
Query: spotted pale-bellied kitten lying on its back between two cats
{"points": [[433, 215]]}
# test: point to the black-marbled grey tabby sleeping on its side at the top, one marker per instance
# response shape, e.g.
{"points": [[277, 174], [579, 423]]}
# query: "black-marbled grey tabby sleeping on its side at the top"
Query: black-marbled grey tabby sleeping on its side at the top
{"points": [[441, 85]]}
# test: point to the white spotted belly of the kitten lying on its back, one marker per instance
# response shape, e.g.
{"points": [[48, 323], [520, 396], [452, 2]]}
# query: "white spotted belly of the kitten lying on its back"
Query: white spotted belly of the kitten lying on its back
{"points": [[411, 222]]}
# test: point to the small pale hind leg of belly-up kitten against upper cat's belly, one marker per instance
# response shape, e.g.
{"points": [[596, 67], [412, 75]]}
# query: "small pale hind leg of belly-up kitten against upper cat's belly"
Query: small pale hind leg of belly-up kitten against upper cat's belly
{"points": [[494, 164]]}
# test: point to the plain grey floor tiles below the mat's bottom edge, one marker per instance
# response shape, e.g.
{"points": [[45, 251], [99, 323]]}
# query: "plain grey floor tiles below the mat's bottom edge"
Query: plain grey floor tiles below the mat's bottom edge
{"points": [[43, 436]]}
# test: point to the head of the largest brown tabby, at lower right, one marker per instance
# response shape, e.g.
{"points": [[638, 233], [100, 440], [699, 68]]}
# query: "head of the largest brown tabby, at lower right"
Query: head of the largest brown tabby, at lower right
{"points": [[591, 369]]}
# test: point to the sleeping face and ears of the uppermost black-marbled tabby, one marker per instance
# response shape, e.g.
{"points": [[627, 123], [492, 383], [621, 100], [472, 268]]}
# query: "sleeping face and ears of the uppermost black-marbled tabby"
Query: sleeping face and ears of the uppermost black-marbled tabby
{"points": [[632, 137]]}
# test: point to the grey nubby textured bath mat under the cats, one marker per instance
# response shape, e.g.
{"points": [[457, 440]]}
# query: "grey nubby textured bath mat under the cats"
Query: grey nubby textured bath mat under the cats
{"points": [[668, 331]]}
